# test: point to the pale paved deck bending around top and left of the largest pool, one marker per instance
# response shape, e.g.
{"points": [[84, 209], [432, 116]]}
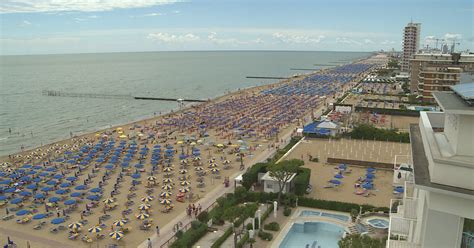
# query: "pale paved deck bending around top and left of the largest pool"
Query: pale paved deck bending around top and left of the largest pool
{"points": [[296, 218]]}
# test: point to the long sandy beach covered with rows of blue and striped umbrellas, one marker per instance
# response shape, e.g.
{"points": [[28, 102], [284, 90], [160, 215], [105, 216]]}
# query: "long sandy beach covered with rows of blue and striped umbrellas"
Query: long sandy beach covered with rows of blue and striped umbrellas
{"points": [[142, 175]]}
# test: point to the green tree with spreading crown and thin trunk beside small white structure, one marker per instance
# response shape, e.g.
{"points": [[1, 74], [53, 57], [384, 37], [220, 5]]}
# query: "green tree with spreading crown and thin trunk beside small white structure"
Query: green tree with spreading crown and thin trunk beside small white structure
{"points": [[283, 171]]}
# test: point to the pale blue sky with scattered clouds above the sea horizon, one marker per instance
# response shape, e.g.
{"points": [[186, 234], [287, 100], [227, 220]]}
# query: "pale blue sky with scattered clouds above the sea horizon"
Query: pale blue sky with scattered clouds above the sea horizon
{"points": [[91, 26]]}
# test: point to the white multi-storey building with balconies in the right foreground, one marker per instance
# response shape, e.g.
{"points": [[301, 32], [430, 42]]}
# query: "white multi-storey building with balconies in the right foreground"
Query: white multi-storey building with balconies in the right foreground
{"points": [[439, 203]]}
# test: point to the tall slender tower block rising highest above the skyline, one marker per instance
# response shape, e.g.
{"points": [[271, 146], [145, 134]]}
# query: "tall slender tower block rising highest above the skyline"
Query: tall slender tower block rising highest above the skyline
{"points": [[411, 43]]}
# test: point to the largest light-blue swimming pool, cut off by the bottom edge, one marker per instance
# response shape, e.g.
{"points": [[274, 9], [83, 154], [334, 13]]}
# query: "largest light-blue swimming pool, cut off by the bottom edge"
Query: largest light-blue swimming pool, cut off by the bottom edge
{"points": [[313, 235]]}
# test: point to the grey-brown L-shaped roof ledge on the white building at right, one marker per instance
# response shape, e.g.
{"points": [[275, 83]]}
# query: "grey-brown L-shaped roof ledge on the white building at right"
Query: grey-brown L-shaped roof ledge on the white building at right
{"points": [[420, 167]]}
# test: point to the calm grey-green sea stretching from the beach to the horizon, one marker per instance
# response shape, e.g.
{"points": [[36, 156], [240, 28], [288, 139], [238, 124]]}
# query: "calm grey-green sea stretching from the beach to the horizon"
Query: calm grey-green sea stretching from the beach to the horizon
{"points": [[35, 119]]}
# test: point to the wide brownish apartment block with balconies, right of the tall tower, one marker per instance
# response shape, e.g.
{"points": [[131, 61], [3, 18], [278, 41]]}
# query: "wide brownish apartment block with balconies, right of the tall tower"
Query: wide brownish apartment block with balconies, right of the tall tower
{"points": [[422, 64]]}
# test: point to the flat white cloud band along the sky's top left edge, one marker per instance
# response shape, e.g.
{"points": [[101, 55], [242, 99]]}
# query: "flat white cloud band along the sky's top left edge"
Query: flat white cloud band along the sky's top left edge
{"points": [[30, 6]]}
